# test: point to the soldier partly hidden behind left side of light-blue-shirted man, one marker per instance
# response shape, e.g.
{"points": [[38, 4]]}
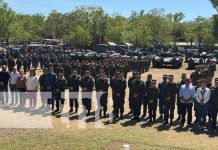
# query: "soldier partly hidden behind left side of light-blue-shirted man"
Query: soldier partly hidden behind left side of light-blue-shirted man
{"points": [[179, 111]]}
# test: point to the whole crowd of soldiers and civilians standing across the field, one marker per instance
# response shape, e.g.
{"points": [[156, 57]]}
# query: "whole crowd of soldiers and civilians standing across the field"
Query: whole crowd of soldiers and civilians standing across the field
{"points": [[199, 96]]}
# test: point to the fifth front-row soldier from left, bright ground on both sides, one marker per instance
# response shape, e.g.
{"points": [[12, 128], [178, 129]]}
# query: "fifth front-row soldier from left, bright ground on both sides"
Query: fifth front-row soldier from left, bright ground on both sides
{"points": [[119, 89]]}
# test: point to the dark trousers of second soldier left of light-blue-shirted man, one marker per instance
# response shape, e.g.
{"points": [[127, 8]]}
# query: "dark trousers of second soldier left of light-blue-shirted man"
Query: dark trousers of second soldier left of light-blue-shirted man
{"points": [[169, 107]]}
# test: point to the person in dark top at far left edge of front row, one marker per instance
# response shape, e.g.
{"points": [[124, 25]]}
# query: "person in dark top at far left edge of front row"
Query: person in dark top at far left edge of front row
{"points": [[4, 80]]}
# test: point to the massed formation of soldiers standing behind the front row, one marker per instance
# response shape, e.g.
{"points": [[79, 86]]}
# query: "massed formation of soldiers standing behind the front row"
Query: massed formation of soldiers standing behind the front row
{"points": [[57, 61]]}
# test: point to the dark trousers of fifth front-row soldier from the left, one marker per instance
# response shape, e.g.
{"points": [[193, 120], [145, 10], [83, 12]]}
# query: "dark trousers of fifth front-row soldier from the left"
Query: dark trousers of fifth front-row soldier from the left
{"points": [[118, 104]]}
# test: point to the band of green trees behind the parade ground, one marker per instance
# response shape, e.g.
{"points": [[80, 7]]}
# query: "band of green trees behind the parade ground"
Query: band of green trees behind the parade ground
{"points": [[84, 26]]}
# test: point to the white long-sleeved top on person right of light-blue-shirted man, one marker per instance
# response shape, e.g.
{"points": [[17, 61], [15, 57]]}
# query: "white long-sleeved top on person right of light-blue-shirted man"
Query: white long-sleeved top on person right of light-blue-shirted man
{"points": [[200, 94]]}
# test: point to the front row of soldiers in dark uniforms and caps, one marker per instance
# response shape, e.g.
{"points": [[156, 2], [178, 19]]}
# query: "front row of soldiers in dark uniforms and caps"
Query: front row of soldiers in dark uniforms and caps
{"points": [[146, 94]]}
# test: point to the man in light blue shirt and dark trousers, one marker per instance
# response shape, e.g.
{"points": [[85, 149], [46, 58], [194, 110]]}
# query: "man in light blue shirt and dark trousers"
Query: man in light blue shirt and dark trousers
{"points": [[186, 97]]}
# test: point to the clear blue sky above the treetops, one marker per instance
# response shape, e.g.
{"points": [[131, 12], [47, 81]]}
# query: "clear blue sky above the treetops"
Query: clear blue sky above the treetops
{"points": [[191, 8]]}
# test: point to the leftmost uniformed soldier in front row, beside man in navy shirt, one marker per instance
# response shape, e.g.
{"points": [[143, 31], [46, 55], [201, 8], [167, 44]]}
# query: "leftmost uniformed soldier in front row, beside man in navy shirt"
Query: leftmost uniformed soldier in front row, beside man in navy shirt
{"points": [[60, 92]]}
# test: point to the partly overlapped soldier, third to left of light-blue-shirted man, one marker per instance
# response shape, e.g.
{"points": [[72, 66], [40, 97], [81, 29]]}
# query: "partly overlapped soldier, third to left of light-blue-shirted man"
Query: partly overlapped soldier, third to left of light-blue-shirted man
{"points": [[161, 88]]}
